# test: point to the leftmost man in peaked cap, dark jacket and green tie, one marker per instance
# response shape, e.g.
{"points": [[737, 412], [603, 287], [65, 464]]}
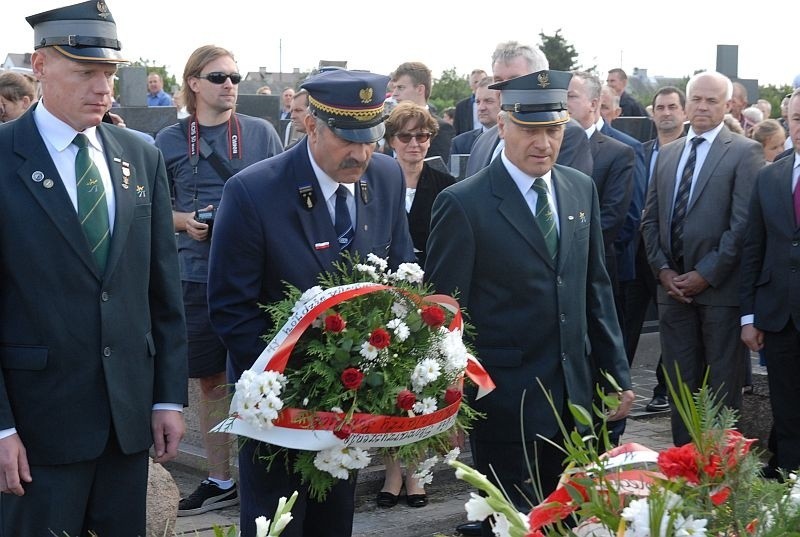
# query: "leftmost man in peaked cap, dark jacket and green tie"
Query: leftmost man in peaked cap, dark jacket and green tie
{"points": [[93, 349]]}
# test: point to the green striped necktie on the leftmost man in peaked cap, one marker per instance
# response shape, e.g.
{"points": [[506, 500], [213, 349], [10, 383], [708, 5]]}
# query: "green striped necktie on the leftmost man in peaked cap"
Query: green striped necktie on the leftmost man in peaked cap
{"points": [[92, 206]]}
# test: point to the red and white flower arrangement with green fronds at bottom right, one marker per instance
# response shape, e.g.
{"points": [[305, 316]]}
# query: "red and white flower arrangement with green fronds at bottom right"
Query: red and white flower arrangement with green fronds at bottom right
{"points": [[710, 486]]}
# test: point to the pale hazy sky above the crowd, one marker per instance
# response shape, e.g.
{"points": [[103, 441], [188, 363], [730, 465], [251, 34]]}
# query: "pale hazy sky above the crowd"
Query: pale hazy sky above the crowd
{"points": [[671, 39]]}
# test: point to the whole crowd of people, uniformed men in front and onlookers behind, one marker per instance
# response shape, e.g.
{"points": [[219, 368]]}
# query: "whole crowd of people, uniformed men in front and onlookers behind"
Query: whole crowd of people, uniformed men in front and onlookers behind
{"points": [[564, 232]]}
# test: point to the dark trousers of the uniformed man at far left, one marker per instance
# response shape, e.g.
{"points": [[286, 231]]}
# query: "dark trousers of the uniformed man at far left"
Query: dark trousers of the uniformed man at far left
{"points": [[105, 497]]}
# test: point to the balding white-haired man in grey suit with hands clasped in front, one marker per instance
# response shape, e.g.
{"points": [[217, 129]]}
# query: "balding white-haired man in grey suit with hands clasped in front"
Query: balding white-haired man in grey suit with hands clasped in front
{"points": [[693, 225]]}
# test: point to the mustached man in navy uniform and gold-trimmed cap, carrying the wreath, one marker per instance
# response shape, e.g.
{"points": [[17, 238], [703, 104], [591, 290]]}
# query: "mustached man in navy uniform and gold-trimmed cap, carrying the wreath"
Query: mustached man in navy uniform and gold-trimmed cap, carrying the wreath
{"points": [[277, 223]]}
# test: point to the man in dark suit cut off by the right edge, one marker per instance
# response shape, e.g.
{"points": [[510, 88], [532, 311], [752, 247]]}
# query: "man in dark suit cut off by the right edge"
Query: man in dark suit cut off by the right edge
{"points": [[770, 302]]}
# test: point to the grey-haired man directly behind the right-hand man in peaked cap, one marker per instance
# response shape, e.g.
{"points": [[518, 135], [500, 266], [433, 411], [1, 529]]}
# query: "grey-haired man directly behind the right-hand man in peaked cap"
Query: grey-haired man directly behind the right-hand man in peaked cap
{"points": [[512, 60]]}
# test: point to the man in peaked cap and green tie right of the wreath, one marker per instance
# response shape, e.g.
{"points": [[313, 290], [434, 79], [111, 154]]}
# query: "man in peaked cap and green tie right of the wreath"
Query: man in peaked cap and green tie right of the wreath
{"points": [[521, 242]]}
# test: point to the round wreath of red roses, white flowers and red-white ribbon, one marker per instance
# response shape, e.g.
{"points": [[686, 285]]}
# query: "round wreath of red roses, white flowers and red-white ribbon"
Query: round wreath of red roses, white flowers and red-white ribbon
{"points": [[366, 359]]}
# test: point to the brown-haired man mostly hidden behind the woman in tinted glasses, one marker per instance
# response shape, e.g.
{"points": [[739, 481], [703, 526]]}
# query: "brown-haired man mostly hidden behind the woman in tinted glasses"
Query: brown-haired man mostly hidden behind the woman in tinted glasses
{"points": [[413, 82]]}
